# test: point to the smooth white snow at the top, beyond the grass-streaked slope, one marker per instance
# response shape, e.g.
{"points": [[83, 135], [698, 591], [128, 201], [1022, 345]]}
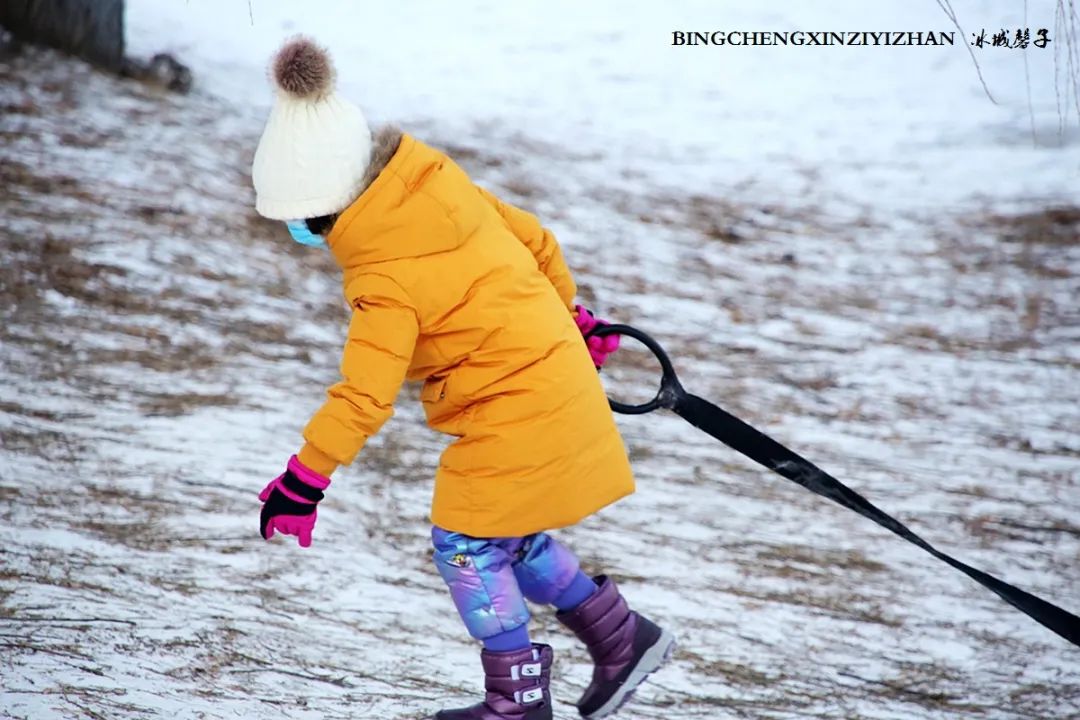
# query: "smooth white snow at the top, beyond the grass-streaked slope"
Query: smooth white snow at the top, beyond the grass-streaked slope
{"points": [[904, 128]]}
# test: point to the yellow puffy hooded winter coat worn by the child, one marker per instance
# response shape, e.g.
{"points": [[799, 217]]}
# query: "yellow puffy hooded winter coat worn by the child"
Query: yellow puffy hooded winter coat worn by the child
{"points": [[453, 288]]}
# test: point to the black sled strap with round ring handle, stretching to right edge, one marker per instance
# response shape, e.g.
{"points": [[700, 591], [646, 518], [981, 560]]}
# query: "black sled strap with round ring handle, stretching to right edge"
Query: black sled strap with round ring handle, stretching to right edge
{"points": [[760, 447]]}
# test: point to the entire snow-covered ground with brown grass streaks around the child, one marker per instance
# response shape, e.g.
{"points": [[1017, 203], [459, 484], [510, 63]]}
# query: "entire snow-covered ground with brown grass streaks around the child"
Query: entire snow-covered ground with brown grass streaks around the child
{"points": [[850, 248]]}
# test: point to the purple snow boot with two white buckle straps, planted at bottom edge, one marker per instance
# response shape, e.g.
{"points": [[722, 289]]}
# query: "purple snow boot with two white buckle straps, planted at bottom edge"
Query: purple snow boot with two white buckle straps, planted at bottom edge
{"points": [[517, 685]]}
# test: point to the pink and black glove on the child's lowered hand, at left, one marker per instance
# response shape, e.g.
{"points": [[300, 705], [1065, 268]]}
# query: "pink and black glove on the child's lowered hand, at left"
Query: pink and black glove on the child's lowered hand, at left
{"points": [[289, 502]]}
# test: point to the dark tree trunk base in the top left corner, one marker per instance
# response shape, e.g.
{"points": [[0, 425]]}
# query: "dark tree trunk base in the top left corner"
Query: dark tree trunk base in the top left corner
{"points": [[92, 30]]}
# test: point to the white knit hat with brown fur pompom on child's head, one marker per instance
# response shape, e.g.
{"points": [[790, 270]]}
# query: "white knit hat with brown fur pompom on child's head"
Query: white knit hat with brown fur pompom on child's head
{"points": [[316, 147]]}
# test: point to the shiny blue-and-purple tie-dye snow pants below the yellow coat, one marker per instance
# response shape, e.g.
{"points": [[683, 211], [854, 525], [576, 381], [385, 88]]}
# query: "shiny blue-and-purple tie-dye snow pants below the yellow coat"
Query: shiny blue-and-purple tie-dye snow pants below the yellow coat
{"points": [[491, 578]]}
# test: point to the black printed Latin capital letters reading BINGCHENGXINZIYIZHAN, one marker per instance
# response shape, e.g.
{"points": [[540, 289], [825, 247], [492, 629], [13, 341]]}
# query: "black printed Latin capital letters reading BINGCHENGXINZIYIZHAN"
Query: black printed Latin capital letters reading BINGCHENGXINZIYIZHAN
{"points": [[859, 38]]}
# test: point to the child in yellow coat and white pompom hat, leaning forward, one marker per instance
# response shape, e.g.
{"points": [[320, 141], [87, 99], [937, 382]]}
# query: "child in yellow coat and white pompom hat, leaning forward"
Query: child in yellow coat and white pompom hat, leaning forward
{"points": [[453, 288]]}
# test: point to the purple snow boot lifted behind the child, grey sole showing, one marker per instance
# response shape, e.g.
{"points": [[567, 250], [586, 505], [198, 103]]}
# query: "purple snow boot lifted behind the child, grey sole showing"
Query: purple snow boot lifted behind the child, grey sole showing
{"points": [[625, 646]]}
